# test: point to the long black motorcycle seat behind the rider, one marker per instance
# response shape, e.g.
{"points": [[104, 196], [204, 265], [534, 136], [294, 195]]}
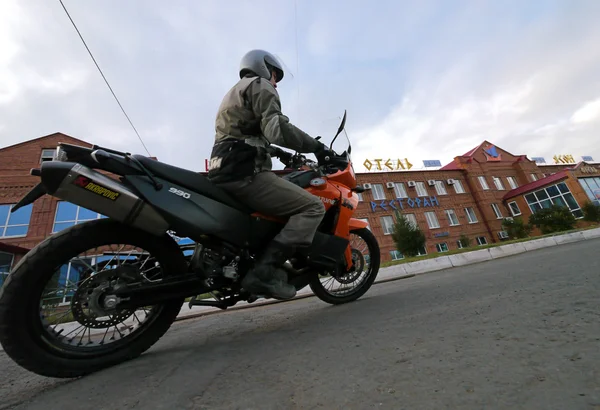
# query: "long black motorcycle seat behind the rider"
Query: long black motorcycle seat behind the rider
{"points": [[191, 180]]}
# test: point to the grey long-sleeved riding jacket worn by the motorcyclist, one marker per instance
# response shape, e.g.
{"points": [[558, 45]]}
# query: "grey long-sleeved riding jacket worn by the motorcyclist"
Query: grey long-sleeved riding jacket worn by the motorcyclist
{"points": [[251, 111]]}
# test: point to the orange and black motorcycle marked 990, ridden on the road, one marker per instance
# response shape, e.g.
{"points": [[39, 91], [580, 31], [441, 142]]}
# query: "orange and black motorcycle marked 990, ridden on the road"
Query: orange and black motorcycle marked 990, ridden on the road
{"points": [[104, 291]]}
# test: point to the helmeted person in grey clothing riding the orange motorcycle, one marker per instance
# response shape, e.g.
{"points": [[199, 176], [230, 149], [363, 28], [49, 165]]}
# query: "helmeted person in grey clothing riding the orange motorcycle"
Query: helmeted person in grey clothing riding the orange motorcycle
{"points": [[248, 121]]}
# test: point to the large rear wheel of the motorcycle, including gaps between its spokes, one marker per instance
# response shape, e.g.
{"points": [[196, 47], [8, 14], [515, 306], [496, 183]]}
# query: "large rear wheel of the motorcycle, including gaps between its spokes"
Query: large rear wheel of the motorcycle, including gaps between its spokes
{"points": [[57, 318]]}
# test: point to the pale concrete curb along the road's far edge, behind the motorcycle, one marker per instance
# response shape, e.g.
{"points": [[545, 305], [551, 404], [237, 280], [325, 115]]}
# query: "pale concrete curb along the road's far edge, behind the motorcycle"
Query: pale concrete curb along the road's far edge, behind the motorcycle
{"points": [[411, 269]]}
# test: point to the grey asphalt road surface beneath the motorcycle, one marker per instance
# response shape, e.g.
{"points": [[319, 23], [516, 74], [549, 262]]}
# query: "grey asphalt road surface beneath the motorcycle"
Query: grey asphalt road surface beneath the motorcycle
{"points": [[516, 333]]}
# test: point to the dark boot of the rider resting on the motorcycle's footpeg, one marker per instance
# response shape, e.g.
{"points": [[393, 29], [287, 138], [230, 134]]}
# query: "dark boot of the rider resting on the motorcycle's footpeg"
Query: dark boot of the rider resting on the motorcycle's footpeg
{"points": [[268, 277]]}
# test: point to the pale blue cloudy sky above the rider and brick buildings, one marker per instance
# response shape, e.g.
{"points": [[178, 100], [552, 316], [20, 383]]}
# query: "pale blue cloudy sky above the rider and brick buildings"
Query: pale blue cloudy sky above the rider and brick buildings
{"points": [[422, 79]]}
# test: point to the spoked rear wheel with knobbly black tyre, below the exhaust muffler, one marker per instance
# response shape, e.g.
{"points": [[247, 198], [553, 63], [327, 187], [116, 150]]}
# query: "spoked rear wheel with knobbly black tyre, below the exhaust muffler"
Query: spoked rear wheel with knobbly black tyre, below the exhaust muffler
{"points": [[25, 333]]}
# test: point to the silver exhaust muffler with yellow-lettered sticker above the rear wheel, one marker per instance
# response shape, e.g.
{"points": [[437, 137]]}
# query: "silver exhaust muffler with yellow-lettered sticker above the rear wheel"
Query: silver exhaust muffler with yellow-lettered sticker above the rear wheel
{"points": [[90, 189]]}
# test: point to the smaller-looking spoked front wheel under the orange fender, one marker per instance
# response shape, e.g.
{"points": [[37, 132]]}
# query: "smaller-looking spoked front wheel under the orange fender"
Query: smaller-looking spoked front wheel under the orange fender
{"points": [[368, 250]]}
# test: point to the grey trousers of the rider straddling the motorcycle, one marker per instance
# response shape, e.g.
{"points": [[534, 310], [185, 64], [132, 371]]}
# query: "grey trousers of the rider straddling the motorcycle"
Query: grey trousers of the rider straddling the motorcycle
{"points": [[269, 194]]}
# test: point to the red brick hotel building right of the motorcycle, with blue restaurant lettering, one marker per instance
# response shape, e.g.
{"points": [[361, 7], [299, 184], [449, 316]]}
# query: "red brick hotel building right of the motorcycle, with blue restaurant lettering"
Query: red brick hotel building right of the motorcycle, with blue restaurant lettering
{"points": [[471, 196]]}
